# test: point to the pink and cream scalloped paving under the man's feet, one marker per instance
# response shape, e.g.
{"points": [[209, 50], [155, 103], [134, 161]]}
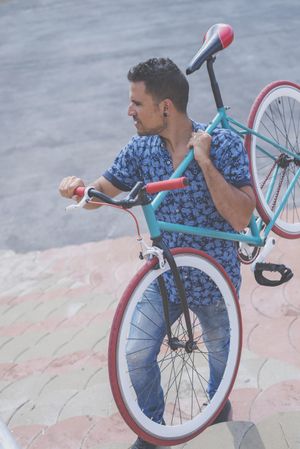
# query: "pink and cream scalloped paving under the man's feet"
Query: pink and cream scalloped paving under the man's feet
{"points": [[57, 307]]}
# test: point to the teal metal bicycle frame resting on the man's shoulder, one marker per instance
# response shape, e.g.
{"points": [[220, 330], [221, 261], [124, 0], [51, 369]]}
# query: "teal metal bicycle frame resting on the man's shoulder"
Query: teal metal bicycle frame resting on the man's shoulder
{"points": [[255, 237]]}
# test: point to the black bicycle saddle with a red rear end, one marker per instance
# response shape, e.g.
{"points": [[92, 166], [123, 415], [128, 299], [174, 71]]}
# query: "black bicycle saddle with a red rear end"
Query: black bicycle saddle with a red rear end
{"points": [[218, 37]]}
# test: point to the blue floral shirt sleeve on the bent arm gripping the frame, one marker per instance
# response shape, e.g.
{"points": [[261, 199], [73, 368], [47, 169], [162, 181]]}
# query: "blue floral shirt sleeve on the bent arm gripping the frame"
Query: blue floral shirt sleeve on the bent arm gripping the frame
{"points": [[231, 158]]}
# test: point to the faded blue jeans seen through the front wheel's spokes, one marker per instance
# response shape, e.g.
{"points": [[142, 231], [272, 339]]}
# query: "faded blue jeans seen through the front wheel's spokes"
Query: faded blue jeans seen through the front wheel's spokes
{"points": [[146, 335]]}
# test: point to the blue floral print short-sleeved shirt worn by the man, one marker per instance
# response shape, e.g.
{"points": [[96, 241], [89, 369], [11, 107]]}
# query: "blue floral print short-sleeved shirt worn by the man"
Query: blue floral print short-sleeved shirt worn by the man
{"points": [[146, 159]]}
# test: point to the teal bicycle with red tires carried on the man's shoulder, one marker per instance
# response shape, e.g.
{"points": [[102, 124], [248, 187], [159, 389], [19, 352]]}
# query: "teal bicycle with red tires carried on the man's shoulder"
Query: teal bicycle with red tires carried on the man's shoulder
{"points": [[183, 359]]}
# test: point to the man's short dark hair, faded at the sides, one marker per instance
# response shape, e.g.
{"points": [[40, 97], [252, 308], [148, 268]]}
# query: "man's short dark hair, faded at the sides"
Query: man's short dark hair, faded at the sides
{"points": [[163, 79]]}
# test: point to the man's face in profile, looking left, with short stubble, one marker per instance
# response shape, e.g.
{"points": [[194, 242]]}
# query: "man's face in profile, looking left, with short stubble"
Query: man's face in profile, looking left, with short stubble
{"points": [[146, 113]]}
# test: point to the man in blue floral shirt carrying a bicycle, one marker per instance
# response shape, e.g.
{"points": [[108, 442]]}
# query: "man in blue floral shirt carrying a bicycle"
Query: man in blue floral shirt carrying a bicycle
{"points": [[220, 194]]}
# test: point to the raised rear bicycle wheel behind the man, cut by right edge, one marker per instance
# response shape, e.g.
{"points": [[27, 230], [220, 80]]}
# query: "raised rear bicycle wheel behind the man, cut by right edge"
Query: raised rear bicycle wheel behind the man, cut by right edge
{"points": [[274, 162]]}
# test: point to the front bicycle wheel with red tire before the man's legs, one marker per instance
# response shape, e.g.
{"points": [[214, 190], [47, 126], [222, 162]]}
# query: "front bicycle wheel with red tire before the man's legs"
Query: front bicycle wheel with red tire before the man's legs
{"points": [[183, 375]]}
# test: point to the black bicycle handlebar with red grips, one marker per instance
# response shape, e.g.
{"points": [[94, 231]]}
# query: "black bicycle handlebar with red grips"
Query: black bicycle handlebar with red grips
{"points": [[137, 196]]}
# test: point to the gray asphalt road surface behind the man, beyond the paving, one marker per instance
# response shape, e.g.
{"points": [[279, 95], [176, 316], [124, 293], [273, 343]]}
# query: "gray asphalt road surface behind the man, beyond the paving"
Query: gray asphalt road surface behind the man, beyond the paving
{"points": [[64, 93]]}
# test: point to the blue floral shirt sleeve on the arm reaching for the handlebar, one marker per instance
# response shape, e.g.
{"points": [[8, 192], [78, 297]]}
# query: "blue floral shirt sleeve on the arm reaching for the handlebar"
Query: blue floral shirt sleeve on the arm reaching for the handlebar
{"points": [[124, 171]]}
